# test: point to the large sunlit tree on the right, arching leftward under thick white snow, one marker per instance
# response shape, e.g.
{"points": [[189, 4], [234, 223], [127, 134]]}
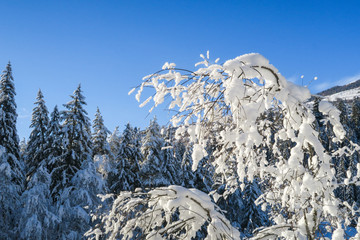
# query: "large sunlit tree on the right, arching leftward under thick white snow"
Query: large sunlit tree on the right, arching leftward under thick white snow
{"points": [[224, 103]]}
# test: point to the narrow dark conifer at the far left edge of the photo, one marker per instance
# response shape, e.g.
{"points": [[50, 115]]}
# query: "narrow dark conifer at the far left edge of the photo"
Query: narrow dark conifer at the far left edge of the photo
{"points": [[8, 116]]}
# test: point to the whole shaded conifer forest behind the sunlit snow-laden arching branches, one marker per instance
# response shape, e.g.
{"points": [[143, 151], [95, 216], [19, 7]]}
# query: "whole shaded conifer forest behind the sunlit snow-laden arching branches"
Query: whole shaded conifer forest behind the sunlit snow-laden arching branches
{"points": [[53, 186]]}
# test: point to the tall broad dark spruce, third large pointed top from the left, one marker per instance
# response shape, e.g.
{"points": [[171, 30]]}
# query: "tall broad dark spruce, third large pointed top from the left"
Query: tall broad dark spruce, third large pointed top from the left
{"points": [[79, 182]]}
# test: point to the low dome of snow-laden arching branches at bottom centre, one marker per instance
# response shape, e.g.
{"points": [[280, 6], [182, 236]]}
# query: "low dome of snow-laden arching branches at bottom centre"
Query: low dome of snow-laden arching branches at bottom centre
{"points": [[172, 212]]}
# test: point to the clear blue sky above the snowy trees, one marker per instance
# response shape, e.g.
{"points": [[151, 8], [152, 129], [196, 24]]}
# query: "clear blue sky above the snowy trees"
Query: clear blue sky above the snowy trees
{"points": [[108, 46]]}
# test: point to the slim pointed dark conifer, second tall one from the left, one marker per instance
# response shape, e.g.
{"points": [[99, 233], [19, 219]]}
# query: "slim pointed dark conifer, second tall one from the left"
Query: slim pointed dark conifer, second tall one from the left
{"points": [[35, 151]]}
